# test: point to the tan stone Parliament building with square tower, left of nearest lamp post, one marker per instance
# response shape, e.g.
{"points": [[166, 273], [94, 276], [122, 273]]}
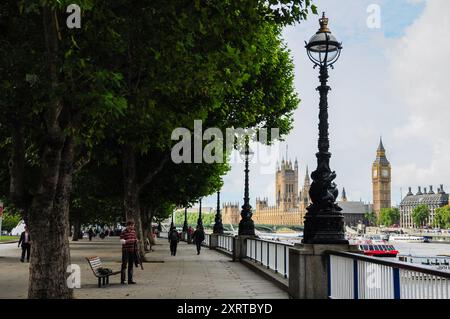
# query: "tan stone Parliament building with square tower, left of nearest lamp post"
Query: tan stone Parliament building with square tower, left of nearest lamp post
{"points": [[290, 205]]}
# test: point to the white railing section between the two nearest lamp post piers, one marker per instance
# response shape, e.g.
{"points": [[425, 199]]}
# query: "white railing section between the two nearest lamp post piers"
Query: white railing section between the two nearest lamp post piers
{"points": [[273, 255]]}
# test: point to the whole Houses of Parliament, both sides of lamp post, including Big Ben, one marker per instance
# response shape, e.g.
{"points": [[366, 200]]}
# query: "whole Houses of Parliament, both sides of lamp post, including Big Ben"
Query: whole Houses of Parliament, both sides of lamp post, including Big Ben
{"points": [[290, 203]]}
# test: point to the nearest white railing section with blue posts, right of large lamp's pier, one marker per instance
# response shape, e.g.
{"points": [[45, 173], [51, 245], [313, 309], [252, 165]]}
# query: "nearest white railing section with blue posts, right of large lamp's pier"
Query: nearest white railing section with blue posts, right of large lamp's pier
{"points": [[355, 276]]}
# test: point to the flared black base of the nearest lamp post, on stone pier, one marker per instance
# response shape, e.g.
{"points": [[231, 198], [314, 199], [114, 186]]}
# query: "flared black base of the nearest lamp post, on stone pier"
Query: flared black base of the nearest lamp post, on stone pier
{"points": [[324, 228]]}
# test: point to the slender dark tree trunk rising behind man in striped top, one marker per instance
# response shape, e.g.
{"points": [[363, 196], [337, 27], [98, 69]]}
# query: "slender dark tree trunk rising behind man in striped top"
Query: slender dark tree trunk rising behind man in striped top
{"points": [[131, 193]]}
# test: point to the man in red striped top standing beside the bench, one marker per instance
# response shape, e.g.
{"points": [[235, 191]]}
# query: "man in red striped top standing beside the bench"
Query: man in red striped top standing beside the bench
{"points": [[129, 245]]}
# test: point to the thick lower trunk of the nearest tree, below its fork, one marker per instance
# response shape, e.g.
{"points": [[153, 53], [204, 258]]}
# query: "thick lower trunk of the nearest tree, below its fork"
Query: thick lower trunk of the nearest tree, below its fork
{"points": [[48, 225]]}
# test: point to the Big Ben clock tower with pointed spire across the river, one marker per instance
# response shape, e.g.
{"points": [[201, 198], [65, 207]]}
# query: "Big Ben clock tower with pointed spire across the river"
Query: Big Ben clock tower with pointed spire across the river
{"points": [[381, 181]]}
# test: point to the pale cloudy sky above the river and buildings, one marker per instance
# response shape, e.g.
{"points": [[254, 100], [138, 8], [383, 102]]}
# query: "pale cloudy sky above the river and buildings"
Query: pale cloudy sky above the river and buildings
{"points": [[390, 81]]}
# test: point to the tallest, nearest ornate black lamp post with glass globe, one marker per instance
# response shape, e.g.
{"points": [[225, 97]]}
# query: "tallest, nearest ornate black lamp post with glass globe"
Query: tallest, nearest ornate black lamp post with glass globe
{"points": [[324, 222]]}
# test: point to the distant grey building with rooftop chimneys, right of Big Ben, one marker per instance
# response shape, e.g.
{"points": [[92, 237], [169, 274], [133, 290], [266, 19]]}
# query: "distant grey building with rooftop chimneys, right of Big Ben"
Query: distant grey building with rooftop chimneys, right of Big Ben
{"points": [[430, 198]]}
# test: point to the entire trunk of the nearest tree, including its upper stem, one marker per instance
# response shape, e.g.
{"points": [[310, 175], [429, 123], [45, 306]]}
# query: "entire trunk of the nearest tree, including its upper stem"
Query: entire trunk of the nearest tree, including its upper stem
{"points": [[49, 213]]}
